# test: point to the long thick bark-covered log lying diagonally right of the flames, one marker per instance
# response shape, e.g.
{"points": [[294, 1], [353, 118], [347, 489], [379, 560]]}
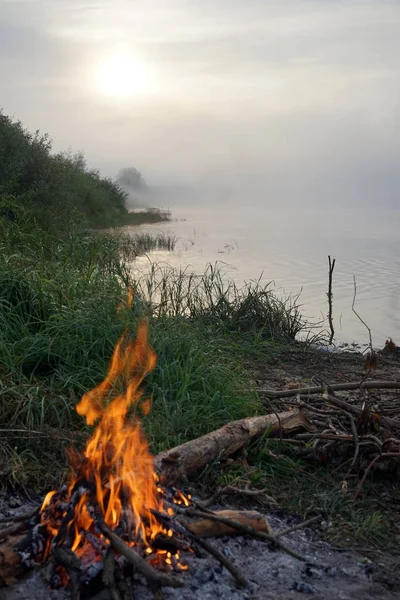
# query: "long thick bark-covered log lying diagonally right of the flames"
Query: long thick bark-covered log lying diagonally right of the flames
{"points": [[180, 462]]}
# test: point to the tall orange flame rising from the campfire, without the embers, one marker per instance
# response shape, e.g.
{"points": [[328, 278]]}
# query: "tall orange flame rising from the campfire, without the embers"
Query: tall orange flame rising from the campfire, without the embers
{"points": [[118, 460]]}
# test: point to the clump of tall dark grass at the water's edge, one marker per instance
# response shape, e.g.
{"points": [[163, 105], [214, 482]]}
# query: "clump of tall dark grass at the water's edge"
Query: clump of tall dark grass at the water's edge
{"points": [[213, 298]]}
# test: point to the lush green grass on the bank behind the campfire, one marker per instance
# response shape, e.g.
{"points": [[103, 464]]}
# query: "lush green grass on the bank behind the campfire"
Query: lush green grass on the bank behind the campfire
{"points": [[58, 327]]}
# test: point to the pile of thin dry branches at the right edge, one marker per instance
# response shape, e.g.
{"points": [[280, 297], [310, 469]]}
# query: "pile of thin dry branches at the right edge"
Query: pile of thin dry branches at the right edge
{"points": [[356, 434]]}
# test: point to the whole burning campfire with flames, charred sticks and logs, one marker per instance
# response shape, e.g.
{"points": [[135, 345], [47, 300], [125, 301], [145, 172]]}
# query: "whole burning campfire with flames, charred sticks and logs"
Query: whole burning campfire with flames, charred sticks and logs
{"points": [[121, 517]]}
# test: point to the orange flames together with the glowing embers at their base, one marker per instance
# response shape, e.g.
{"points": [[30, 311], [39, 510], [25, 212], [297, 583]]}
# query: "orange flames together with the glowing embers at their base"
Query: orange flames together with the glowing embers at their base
{"points": [[114, 478]]}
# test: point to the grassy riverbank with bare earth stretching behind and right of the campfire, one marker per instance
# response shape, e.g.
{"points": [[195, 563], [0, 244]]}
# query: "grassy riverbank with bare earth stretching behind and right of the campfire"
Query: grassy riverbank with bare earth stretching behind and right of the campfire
{"points": [[217, 347]]}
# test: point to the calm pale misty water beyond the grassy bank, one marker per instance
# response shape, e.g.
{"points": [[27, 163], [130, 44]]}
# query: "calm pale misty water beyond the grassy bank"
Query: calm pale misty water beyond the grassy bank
{"points": [[290, 248]]}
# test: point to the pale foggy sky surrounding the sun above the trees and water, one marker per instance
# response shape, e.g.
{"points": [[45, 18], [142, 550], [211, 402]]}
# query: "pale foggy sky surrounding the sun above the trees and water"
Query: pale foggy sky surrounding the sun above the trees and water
{"points": [[294, 100]]}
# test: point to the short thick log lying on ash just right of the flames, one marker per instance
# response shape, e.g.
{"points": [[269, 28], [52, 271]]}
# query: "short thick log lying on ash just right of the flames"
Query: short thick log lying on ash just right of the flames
{"points": [[205, 528]]}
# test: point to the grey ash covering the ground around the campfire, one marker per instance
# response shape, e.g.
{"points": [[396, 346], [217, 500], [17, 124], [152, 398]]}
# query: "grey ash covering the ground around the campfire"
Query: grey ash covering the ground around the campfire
{"points": [[328, 574]]}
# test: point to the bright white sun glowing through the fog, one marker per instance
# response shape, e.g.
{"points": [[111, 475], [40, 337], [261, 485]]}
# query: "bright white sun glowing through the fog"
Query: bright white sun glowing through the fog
{"points": [[121, 76]]}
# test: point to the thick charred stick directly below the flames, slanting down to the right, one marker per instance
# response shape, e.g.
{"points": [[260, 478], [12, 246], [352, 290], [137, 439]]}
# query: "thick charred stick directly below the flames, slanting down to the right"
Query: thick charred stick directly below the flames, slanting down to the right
{"points": [[152, 576]]}
